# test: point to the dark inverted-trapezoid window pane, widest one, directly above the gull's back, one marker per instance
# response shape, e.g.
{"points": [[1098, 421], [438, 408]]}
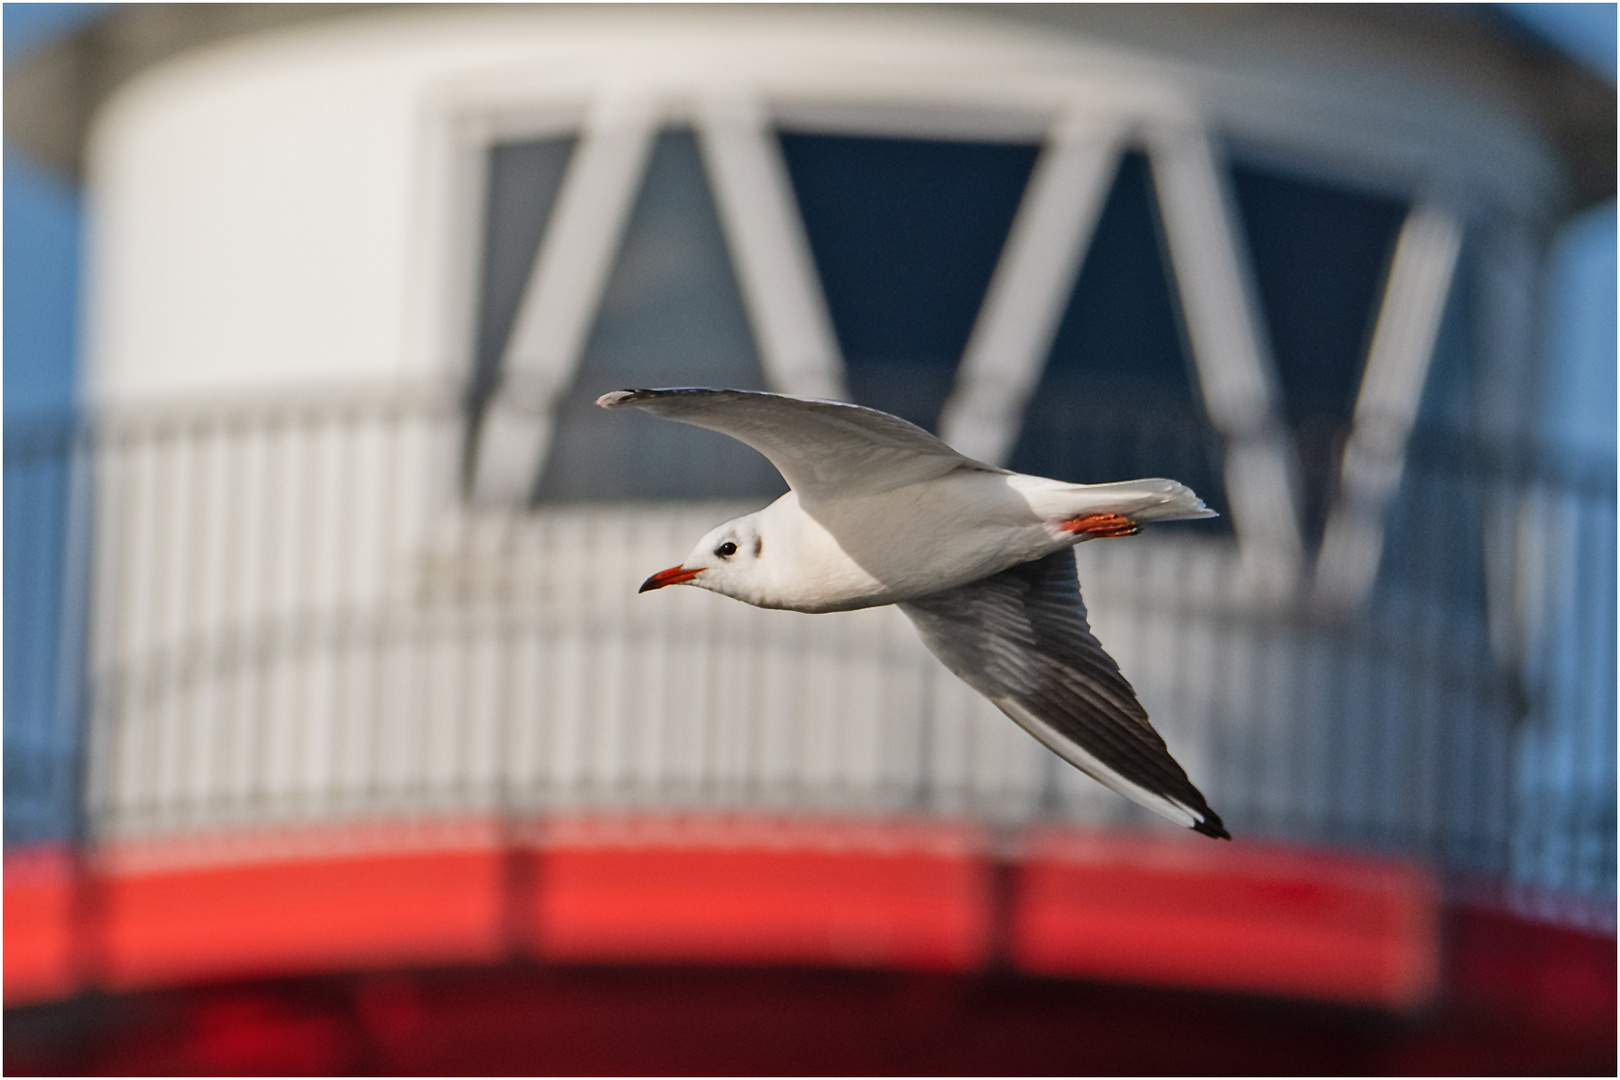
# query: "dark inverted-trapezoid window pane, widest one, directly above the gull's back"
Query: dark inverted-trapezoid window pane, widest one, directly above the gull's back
{"points": [[906, 234]]}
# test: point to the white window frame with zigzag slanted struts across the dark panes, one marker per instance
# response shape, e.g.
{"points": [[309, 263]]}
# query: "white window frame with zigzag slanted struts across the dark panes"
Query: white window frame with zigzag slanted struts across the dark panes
{"points": [[1083, 137]]}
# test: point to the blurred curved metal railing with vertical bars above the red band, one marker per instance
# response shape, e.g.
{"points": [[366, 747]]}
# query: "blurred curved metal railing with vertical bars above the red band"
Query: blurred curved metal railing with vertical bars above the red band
{"points": [[284, 611]]}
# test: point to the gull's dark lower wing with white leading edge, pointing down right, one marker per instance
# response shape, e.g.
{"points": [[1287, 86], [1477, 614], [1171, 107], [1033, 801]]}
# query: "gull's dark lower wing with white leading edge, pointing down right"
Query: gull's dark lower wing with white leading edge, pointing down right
{"points": [[1021, 639]]}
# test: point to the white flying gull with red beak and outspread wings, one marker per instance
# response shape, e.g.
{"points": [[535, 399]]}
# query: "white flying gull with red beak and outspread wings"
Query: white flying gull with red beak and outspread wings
{"points": [[979, 558]]}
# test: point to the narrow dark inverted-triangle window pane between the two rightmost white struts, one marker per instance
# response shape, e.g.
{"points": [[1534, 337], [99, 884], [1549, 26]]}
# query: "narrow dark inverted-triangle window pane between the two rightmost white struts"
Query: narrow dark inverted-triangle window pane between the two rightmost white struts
{"points": [[1319, 257]]}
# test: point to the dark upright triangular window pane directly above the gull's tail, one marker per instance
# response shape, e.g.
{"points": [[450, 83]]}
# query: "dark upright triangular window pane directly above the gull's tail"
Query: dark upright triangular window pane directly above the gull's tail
{"points": [[1119, 396]]}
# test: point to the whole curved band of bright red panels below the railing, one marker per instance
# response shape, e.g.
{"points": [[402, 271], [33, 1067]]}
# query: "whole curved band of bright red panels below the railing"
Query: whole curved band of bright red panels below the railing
{"points": [[910, 896]]}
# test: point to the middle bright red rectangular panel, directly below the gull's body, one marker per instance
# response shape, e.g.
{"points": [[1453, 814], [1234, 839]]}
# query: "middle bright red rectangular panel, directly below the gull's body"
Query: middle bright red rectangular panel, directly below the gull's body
{"points": [[900, 896]]}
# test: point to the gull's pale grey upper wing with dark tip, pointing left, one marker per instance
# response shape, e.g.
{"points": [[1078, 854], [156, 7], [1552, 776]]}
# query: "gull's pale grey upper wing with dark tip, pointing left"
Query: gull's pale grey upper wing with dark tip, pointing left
{"points": [[819, 448]]}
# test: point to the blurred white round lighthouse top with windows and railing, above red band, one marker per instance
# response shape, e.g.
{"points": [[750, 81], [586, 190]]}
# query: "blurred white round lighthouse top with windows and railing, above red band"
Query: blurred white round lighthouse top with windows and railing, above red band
{"points": [[349, 545]]}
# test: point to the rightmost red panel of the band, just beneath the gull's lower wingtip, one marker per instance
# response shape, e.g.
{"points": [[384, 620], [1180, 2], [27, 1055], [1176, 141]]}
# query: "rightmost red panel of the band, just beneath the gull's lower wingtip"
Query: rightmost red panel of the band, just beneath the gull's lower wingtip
{"points": [[1258, 919]]}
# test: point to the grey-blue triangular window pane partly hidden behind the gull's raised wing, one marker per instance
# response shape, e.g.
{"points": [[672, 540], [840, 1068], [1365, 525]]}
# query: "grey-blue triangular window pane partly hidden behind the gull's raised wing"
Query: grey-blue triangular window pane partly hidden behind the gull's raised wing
{"points": [[671, 317]]}
